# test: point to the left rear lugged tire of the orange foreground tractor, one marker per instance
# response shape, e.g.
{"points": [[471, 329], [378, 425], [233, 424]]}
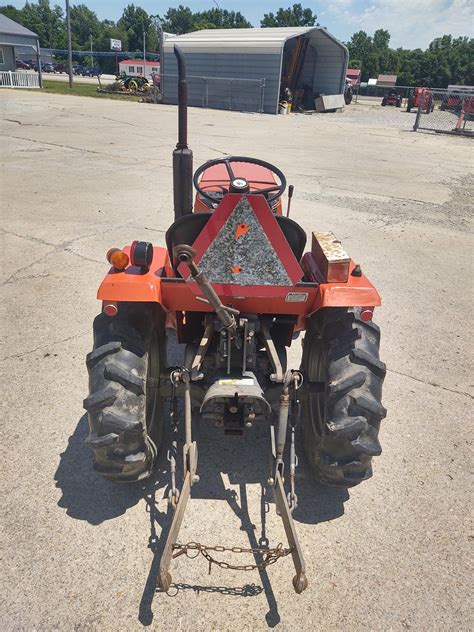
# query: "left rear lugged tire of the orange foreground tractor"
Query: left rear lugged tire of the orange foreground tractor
{"points": [[124, 405]]}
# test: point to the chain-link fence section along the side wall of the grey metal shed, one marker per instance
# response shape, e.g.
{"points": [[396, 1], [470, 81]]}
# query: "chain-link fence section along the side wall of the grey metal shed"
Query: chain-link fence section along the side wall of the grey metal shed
{"points": [[223, 93]]}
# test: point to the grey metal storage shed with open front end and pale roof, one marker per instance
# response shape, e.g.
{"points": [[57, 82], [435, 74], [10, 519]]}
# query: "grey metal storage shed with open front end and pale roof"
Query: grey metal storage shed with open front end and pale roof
{"points": [[250, 69]]}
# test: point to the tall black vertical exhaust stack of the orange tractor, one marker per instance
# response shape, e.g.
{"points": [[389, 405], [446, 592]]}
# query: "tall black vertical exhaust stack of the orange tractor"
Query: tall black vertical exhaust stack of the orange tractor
{"points": [[182, 155]]}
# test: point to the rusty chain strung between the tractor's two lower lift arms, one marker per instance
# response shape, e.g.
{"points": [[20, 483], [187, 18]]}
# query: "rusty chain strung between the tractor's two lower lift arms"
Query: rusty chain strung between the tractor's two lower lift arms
{"points": [[271, 555]]}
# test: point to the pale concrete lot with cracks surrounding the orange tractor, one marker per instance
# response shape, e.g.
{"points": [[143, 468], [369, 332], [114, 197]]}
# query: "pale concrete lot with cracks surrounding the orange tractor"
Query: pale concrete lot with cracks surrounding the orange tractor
{"points": [[81, 175]]}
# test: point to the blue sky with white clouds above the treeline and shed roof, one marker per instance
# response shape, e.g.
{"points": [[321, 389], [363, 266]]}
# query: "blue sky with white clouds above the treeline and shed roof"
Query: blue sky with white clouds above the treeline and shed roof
{"points": [[412, 23]]}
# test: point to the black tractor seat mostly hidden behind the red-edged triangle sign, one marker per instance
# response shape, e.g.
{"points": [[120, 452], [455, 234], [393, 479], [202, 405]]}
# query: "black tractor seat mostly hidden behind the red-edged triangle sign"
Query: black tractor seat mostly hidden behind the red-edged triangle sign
{"points": [[185, 230]]}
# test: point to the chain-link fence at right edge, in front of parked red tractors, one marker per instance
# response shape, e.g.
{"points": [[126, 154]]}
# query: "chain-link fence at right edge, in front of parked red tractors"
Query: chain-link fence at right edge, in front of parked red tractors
{"points": [[437, 110]]}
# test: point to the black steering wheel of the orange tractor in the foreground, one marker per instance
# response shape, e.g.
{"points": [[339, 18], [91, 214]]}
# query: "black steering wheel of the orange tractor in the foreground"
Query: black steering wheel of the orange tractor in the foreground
{"points": [[238, 184]]}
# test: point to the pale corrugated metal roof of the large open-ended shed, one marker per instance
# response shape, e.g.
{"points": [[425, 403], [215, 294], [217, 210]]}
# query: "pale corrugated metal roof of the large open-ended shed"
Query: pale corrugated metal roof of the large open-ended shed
{"points": [[262, 40]]}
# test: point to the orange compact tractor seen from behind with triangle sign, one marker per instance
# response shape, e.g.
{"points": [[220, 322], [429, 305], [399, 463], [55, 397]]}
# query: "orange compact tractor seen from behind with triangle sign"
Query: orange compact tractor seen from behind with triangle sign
{"points": [[235, 282]]}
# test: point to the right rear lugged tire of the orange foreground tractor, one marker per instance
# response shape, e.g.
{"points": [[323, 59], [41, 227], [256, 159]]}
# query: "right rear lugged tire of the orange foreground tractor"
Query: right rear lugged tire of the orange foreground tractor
{"points": [[341, 425]]}
